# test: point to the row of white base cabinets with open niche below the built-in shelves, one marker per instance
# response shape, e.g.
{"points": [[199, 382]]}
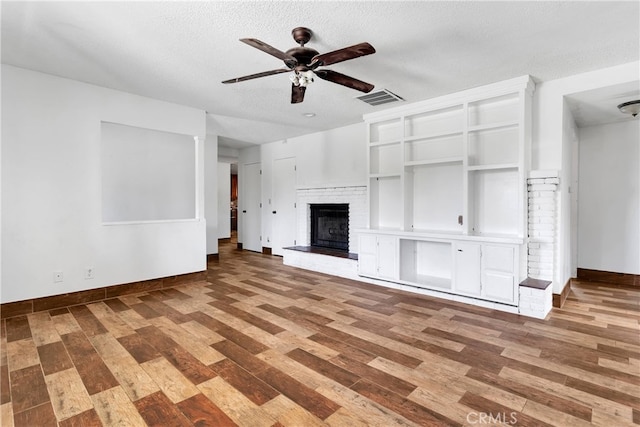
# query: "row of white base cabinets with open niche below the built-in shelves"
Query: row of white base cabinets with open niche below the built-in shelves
{"points": [[462, 265]]}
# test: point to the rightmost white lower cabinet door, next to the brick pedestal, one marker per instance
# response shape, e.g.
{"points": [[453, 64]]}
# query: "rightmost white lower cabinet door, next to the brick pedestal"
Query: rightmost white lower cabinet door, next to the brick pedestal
{"points": [[499, 273]]}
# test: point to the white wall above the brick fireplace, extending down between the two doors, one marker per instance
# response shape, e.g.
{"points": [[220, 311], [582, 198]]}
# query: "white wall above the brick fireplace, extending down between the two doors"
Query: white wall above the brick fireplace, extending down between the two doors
{"points": [[337, 157]]}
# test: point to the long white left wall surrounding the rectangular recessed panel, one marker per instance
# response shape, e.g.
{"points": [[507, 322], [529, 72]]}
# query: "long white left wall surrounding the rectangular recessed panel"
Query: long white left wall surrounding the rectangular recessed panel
{"points": [[51, 189]]}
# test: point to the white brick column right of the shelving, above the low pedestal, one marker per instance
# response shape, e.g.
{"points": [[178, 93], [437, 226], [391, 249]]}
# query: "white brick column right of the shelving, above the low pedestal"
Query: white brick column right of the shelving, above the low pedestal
{"points": [[542, 189]]}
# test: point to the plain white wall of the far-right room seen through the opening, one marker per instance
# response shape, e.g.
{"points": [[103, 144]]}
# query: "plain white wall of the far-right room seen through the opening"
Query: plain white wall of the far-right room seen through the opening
{"points": [[609, 197]]}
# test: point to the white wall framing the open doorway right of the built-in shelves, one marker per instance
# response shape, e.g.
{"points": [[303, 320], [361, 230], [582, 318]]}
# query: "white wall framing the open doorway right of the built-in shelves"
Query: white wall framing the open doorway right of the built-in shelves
{"points": [[551, 144]]}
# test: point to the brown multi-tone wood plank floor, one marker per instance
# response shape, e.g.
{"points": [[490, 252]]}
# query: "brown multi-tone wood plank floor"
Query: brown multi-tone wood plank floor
{"points": [[261, 344]]}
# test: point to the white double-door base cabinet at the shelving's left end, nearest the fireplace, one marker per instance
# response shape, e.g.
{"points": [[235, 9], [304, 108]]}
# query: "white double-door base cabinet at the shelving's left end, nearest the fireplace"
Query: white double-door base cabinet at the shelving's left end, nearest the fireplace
{"points": [[378, 256]]}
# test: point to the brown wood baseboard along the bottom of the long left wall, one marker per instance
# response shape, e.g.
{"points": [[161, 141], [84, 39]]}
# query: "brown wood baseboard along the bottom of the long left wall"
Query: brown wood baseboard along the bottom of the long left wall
{"points": [[21, 308]]}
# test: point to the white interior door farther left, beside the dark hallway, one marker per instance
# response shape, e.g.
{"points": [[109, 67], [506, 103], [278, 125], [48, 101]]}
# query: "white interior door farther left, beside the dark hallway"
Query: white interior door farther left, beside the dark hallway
{"points": [[251, 212]]}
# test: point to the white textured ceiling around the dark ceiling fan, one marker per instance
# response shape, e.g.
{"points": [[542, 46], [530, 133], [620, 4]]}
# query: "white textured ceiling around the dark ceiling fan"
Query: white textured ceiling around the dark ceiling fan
{"points": [[181, 51]]}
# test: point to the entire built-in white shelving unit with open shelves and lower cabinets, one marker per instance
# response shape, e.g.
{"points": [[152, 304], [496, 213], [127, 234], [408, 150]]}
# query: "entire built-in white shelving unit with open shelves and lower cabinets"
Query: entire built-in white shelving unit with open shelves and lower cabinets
{"points": [[447, 191]]}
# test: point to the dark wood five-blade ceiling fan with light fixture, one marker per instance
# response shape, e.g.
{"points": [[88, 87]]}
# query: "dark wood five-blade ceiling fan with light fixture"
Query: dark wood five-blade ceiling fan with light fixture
{"points": [[304, 61]]}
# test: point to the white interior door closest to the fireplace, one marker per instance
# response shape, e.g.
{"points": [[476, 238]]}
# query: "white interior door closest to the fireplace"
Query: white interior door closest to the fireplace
{"points": [[283, 209]]}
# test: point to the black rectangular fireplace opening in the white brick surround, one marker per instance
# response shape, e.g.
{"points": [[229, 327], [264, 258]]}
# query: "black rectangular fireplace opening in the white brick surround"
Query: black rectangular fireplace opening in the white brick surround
{"points": [[330, 226]]}
